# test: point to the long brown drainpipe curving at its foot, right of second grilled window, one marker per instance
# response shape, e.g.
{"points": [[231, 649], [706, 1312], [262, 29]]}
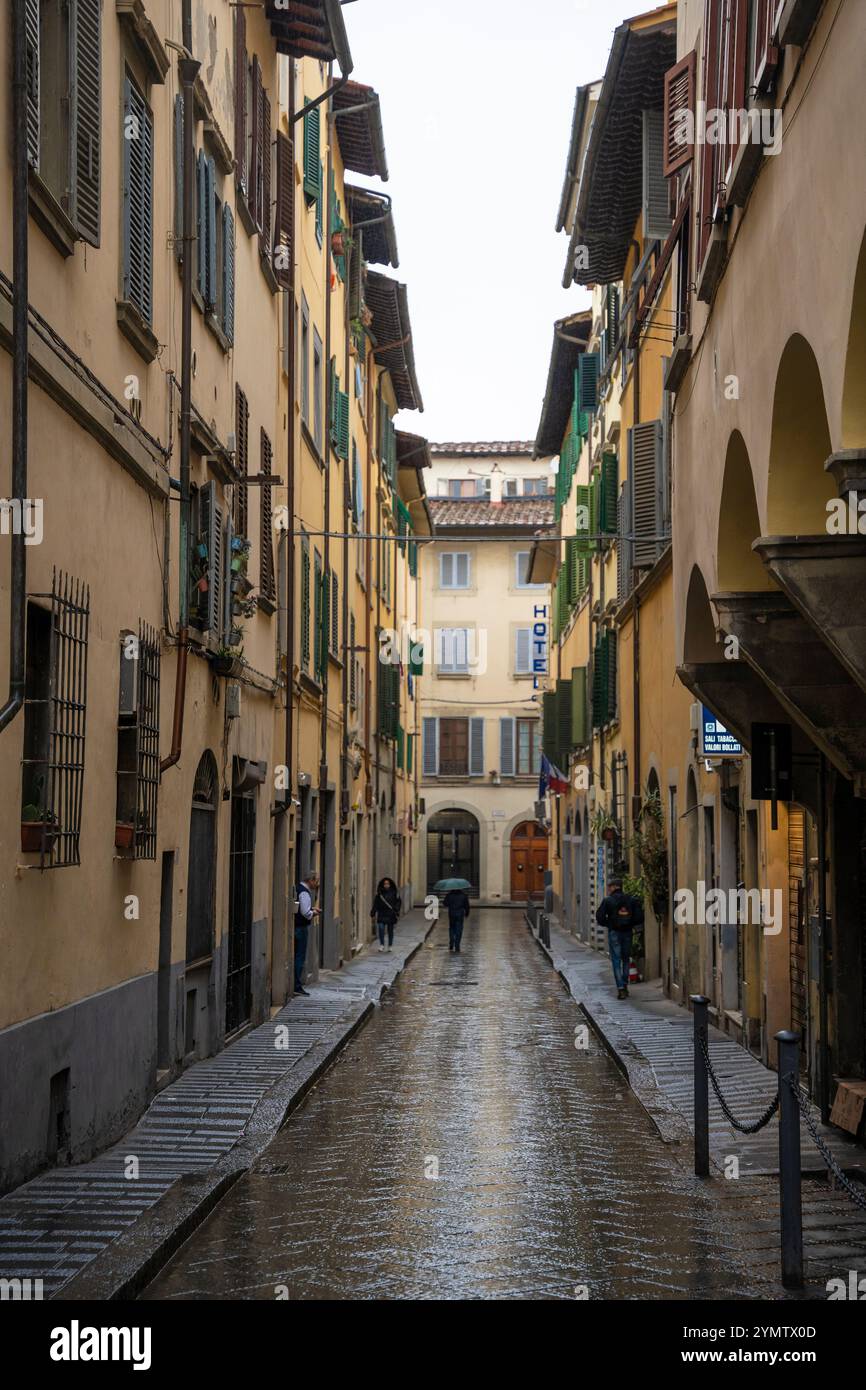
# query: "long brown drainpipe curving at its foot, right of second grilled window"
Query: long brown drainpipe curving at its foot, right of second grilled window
{"points": [[190, 70]]}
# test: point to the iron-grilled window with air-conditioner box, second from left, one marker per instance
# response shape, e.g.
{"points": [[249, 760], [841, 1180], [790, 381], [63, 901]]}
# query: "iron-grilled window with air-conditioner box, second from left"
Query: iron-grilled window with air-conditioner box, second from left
{"points": [[138, 744]]}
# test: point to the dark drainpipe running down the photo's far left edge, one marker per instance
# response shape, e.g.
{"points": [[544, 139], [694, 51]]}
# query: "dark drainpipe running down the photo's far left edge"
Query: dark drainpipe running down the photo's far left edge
{"points": [[20, 366]]}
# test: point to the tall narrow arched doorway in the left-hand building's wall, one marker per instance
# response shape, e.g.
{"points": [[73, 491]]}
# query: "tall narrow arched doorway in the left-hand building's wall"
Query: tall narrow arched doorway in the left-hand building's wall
{"points": [[201, 907]]}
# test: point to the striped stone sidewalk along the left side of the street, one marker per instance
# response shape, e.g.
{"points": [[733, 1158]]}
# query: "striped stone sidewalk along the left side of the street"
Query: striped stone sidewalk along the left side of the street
{"points": [[212, 1121]]}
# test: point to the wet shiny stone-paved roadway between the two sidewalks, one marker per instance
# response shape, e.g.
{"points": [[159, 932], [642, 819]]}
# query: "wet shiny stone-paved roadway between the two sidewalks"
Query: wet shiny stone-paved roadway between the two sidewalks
{"points": [[551, 1175]]}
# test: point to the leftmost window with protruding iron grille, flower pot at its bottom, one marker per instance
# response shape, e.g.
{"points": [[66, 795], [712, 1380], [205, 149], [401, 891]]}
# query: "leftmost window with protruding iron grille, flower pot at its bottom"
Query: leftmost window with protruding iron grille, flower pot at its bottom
{"points": [[55, 711]]}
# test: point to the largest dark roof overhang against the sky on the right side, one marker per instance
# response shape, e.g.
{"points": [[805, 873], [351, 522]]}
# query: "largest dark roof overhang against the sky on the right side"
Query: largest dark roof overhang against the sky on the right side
{"points": [[611, 183]]}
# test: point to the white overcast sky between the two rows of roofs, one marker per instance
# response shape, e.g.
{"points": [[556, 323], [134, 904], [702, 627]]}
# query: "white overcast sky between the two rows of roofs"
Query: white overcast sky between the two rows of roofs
{"points": [[477, 99]]}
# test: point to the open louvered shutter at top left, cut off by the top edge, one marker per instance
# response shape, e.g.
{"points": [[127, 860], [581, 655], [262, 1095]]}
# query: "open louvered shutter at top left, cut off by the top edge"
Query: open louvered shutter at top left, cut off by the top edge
{"points": [[87, 119]]}
